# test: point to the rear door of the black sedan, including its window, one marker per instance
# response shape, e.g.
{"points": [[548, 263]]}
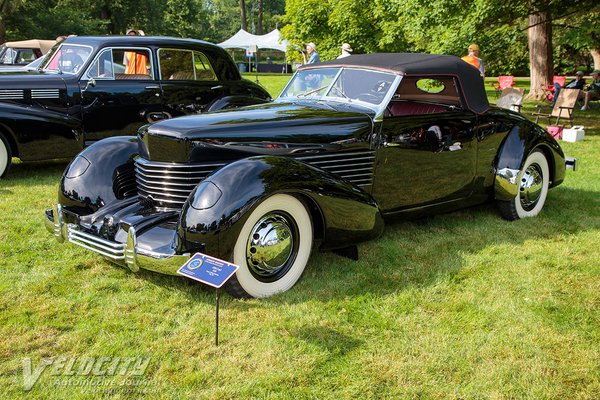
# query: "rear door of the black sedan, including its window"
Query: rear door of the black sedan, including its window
{"points": [[188, 81]]}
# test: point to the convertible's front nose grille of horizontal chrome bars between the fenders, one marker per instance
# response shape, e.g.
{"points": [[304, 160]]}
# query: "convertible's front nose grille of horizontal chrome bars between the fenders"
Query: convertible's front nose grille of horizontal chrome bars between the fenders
{"points": [[170, 184]]}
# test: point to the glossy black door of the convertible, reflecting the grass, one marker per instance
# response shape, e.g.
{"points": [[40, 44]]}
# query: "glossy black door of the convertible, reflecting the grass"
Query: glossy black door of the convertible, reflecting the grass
{"points": [[427, 155]]}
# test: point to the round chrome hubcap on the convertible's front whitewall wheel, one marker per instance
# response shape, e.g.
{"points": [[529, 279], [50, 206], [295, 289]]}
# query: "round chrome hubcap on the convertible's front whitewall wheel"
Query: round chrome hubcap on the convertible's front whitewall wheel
{"points": [[271, 248]]}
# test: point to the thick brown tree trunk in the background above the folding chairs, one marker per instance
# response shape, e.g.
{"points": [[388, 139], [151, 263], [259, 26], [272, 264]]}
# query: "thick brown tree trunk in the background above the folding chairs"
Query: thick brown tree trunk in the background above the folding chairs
{"points": [[540, 53]]}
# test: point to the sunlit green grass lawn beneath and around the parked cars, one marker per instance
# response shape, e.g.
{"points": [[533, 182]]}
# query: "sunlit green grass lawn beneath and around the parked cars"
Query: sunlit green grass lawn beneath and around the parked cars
{"points": [[457, 306]]}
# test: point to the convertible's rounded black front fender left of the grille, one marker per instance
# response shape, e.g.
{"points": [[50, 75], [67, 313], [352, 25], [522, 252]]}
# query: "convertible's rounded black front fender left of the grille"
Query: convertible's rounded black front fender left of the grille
{"points": [[100, 174]]}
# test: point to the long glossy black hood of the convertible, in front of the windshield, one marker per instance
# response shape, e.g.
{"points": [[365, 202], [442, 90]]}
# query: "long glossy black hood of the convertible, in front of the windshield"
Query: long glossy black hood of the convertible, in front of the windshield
{"points": [[274, 128]]}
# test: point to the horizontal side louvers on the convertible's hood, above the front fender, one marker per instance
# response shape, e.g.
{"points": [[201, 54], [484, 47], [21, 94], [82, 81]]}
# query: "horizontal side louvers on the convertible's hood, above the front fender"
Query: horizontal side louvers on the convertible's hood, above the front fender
{"points": [[354, 166]]}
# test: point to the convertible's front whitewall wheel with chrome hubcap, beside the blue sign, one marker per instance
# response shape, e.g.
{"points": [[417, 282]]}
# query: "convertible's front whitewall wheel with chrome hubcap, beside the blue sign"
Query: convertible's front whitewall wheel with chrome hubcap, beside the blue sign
{"points": [[272, 248]]}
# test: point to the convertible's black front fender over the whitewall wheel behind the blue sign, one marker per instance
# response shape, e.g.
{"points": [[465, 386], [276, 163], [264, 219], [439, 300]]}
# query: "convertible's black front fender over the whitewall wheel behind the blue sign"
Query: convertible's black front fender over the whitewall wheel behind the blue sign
{"points": [[217, 209]]}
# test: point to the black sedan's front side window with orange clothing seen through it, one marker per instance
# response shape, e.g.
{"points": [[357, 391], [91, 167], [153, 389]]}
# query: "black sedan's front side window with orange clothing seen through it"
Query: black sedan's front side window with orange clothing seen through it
{"points": [[122, 64]]}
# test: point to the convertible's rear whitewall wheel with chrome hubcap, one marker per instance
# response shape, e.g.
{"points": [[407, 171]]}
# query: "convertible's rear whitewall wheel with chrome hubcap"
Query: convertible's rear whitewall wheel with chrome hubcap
{"points": [[533, 189]]}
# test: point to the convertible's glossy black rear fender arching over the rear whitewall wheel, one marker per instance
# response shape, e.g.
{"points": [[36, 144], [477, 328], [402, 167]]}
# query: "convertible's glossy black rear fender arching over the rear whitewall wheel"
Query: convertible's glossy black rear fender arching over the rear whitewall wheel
{"points": [[518, 144]]}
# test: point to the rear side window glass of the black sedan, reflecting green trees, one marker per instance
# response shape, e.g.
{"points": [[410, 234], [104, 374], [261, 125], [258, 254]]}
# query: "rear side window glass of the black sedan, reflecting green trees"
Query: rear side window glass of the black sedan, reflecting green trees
{"points": [[184, 65]]}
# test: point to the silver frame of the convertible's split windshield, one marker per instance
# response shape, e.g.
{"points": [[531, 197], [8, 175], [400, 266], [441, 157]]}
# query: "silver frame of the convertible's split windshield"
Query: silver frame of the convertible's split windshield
{"points": [[378, 108]]}
